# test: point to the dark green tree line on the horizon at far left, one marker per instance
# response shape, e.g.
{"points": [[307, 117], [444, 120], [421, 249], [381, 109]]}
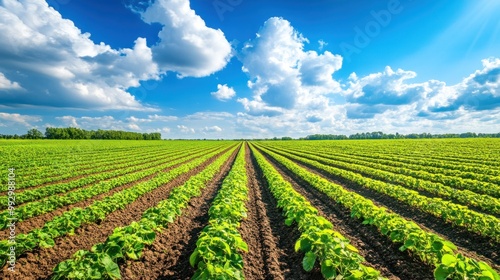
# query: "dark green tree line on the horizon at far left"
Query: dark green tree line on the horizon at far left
{"points": [[77, 133]]}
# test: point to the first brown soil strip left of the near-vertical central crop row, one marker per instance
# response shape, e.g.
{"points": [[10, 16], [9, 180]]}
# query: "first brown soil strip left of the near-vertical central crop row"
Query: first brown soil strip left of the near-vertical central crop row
{"points": [[168, 256]]}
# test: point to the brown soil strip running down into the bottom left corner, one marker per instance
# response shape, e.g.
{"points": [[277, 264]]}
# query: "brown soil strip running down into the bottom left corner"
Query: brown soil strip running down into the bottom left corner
{"points": [[39, 263]]}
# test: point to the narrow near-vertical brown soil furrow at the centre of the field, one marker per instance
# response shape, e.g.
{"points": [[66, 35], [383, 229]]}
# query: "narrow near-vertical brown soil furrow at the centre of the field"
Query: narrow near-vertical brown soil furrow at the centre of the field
{"points": [[262, 259]]}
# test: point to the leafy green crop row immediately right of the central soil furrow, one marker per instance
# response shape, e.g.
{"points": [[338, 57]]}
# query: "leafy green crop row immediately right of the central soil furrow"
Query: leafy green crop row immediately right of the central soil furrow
{"points": [[318, 240]]}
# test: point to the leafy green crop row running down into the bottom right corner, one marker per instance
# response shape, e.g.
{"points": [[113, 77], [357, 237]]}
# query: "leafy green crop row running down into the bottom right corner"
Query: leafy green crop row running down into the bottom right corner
{"points": [[429, 247]]}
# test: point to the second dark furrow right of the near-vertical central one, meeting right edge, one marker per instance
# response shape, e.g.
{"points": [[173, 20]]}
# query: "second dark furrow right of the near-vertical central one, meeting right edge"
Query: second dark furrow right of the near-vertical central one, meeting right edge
{"points": [[470, 244]]}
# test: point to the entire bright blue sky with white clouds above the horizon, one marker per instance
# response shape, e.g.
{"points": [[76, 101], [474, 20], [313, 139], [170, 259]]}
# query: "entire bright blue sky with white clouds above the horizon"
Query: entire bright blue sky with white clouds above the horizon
{"points": [[241, 68]]}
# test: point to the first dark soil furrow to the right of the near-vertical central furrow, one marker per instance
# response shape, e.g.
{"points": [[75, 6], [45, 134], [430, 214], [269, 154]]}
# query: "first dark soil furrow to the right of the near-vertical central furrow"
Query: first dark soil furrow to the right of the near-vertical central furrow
{"points": [[378, 251]]}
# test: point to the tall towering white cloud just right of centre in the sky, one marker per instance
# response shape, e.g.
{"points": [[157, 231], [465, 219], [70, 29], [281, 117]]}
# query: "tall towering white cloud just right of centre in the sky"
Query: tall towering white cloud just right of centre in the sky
{"points": [[282, 73]]}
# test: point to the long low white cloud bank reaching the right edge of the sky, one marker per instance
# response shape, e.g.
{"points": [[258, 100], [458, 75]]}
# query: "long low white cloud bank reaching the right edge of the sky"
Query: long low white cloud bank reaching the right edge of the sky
{"points": [[386, 91]]}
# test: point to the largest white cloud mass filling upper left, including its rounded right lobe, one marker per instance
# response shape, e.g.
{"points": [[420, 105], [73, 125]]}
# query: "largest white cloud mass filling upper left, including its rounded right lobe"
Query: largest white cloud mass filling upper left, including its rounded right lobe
{"points": [[59, 66]]}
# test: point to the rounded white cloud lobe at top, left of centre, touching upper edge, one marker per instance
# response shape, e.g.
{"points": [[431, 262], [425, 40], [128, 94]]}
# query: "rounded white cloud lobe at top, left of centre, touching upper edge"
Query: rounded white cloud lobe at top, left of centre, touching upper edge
{"points": [[187, 46]]}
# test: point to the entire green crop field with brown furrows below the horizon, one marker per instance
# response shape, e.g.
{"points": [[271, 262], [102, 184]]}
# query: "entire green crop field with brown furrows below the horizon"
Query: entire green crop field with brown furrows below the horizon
{"points": [[350, 209]]}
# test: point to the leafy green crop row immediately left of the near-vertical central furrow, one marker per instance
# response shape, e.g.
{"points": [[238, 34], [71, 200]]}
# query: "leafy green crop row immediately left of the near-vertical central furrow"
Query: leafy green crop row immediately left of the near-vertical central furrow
{"points": [[217, 249]]}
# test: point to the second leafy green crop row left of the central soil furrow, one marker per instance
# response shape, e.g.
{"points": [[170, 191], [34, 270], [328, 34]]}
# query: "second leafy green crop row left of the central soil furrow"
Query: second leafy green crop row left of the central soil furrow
{"points": [[102, 261]]}
